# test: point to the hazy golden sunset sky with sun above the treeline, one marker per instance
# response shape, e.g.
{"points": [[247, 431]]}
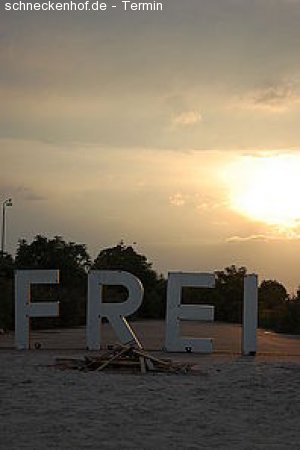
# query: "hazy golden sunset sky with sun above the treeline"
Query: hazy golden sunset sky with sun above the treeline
{"points": [[176, 130]]}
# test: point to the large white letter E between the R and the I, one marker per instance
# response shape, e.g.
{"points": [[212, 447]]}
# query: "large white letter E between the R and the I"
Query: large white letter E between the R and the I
{"points": [[177, 311]]}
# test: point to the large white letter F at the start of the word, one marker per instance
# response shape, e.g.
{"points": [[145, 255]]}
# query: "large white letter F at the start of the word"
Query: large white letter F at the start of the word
{"points": [[24, 309]]}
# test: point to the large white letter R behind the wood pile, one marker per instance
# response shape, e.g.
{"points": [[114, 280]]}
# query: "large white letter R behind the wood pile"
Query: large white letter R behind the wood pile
{"points": [[114, 312]]}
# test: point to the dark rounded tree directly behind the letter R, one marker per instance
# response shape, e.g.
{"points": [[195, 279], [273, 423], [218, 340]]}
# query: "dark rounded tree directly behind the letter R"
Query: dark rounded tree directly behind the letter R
{"points": [[122, 257]]}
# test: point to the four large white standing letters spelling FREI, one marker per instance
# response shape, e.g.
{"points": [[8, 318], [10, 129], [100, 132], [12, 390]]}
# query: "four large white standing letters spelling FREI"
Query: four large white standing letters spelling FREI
{"points": [[116, 313]]}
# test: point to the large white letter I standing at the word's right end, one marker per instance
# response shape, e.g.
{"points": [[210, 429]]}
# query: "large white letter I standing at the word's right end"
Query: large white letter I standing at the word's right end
{"points": [[249, 315]]}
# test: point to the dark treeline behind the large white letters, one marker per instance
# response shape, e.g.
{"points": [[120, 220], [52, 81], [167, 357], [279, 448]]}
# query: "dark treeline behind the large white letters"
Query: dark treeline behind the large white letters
{"points": [[277, 310]]}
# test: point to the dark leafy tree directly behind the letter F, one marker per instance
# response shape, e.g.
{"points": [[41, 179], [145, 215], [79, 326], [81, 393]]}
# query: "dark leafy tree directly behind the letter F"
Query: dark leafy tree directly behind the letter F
{"points": [[72, 261]]}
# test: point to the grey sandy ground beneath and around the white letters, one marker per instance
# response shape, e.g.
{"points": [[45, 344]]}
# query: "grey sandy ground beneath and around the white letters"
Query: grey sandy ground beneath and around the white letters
{"points": [[229, 402]]}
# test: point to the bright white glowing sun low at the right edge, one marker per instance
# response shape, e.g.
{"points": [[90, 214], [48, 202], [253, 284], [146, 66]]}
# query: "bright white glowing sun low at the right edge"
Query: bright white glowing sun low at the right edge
{"points": [[267, 189]]}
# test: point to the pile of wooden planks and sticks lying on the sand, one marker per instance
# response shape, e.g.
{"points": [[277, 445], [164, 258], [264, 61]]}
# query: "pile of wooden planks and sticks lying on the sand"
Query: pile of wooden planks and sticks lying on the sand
{"points": [[123, 357]]}
